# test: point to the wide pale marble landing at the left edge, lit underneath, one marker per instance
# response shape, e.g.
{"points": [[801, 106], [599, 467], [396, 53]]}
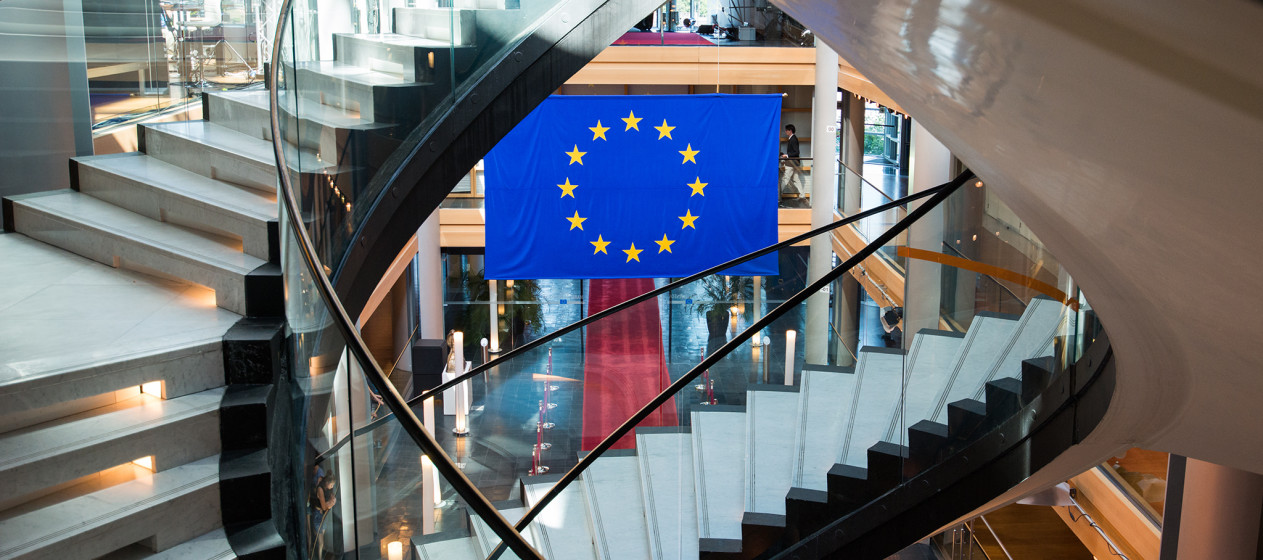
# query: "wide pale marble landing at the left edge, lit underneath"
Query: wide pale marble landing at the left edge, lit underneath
{"points": [[75, 332]]}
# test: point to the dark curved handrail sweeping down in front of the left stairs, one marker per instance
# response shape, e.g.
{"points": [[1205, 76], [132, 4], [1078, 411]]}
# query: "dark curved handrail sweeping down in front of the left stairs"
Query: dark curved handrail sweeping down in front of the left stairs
{"points": [[463, 486]]}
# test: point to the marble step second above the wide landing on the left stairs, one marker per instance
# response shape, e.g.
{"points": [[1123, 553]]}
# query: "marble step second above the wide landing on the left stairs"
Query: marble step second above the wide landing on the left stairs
{"points": [[169, 194]]}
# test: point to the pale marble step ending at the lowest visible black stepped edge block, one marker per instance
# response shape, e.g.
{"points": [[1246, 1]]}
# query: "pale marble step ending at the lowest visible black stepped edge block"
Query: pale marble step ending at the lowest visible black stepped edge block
{"points": [[719, 477]]}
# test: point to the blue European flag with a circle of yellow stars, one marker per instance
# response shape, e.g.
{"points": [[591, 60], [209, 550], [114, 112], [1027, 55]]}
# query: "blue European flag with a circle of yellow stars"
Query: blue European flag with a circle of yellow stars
{"points": [[635, 188]]}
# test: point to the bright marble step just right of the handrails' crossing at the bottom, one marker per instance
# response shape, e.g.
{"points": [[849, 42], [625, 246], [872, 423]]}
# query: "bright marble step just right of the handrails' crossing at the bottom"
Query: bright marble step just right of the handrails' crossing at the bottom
{"points": [[563, 529]]}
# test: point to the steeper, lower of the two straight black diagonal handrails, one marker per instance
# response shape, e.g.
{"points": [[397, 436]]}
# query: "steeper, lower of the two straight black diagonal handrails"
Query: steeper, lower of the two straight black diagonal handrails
{"points": [[940, 194]]}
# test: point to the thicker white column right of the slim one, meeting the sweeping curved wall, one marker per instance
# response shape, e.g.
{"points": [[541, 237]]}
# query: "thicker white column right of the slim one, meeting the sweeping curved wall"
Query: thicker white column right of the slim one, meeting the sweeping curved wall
{"points": [[930, 167]]}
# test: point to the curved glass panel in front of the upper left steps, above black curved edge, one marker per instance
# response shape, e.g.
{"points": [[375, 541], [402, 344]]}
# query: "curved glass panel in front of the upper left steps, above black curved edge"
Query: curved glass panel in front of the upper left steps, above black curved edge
{"points": [[366, 80]]}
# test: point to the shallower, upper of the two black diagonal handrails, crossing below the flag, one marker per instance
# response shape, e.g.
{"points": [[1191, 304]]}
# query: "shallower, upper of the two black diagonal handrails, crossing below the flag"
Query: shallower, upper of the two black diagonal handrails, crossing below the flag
{"points": [[669, 288]]}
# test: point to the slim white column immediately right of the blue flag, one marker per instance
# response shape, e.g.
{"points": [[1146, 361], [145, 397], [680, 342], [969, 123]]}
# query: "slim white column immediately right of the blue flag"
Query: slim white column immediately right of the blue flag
{"points": [[824, 199]]}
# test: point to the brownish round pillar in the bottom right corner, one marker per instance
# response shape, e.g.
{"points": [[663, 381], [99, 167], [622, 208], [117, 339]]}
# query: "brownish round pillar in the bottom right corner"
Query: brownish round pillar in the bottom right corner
{"points": [[1221, 514]]}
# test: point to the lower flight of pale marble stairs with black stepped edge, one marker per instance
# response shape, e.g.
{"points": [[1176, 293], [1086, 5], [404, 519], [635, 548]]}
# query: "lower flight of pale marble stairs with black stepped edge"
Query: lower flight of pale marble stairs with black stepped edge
{"points": [[743, 480]]}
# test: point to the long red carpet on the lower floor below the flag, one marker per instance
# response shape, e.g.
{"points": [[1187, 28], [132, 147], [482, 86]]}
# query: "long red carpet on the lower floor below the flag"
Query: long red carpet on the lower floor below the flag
{"points": [[625, 366]]}
